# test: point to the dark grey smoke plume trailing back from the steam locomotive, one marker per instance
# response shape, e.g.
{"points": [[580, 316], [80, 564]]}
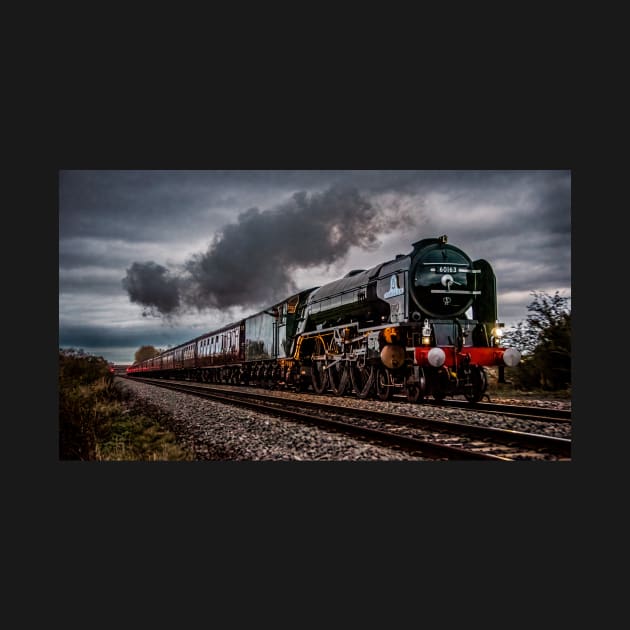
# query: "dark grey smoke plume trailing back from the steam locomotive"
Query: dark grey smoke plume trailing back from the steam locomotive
{"points": [[250, 263]]}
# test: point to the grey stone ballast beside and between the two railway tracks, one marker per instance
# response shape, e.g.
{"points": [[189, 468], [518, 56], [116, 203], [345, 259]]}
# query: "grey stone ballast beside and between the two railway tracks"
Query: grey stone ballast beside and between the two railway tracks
{"points": [[218, 432]]}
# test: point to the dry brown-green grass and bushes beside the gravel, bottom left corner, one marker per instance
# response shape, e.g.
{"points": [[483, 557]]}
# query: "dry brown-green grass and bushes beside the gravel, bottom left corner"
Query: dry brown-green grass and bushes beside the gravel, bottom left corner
{"points": [[99, 421]]}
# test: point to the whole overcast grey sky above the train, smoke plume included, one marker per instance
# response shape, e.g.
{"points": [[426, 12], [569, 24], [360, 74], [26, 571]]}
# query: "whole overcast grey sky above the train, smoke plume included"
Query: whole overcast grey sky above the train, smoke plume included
{"points": [[159, 257]]}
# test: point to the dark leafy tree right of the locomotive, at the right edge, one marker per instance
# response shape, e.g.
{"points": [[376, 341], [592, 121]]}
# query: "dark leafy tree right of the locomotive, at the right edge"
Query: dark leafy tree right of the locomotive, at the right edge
{"points": [[545, 343]]}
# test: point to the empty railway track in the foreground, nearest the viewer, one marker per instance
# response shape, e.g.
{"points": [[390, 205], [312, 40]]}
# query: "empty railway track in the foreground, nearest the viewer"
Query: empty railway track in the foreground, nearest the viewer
{"points": [[428, 438]]}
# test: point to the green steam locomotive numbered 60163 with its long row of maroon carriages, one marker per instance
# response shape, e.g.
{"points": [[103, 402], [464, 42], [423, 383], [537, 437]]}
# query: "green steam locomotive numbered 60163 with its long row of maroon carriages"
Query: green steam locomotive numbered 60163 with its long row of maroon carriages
{"points": [[421, 325]]}
